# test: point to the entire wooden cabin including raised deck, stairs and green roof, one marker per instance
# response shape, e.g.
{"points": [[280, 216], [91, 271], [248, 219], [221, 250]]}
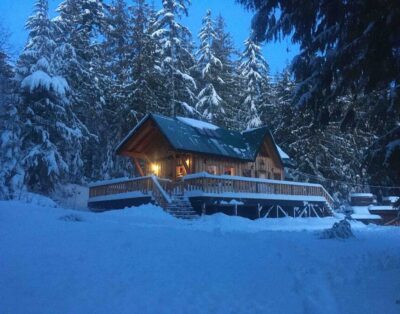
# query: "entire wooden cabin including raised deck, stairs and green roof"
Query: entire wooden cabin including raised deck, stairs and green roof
{"points": [[190, 167]]}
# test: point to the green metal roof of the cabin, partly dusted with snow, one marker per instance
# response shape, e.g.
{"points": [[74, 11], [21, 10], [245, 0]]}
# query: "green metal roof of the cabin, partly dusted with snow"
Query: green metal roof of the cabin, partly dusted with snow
{"points": [[191, 136]]}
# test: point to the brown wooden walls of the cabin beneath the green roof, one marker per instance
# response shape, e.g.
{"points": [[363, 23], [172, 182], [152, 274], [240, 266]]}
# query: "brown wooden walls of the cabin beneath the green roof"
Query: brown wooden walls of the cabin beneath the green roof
{"points": [[149, 149]]}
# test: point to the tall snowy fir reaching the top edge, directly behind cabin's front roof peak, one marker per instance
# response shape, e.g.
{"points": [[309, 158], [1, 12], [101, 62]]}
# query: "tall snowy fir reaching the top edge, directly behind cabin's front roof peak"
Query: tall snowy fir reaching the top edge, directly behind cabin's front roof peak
{"points": [[177, 61]]}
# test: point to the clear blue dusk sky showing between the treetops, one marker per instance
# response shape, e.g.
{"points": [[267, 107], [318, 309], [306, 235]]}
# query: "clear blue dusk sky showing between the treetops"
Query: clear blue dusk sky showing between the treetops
{"points": [[13, 14]]}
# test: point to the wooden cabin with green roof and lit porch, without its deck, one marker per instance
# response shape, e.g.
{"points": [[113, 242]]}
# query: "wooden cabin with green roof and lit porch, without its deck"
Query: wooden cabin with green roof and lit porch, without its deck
{"points": [[175, 147]]}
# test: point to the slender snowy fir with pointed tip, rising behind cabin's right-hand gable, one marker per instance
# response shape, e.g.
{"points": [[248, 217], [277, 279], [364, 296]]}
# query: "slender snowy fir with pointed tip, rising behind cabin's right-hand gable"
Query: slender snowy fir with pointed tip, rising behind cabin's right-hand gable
{"points": [[254, 73]]}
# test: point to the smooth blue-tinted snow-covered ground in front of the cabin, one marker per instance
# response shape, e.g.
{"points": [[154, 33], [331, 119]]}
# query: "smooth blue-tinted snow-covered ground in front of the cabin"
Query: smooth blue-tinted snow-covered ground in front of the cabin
{"points": [[141, 260]]}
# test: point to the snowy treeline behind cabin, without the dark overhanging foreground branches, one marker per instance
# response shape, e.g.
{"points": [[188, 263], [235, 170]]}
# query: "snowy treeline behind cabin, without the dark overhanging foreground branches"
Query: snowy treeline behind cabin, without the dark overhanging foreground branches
{"points": [[86, 77]]}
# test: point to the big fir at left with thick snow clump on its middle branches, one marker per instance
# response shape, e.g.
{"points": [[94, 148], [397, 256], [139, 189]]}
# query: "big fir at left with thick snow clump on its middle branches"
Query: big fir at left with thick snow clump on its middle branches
{"points": [[51, 133]]}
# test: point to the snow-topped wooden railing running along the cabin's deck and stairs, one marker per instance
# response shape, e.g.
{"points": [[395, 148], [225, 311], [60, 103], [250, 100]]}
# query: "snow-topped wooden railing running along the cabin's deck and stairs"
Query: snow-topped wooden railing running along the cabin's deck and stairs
{"points": [[162, 189]]}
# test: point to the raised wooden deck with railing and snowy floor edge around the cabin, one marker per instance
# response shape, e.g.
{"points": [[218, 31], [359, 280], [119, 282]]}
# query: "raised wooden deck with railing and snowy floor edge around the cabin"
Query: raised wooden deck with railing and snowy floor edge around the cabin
{"points": [[165, 192]]}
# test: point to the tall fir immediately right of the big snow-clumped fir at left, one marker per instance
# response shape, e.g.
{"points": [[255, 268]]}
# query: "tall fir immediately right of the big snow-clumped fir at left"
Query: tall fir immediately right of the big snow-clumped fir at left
{"points": [[80, 26]]}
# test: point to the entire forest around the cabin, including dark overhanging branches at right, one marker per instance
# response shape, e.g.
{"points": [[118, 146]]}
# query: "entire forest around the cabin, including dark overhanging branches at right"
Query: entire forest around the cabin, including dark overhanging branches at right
{"points": [[87, 76]]}
